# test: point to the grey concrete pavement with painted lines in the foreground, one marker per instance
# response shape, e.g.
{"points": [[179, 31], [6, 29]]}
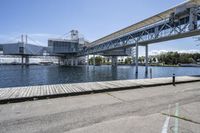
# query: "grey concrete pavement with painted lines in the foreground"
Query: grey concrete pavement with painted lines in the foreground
{"points": [[143, 110]]}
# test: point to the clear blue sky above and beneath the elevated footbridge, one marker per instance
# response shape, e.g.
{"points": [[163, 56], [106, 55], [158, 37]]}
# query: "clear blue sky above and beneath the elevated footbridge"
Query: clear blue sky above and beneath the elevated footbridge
{"points": [[43, 19]]}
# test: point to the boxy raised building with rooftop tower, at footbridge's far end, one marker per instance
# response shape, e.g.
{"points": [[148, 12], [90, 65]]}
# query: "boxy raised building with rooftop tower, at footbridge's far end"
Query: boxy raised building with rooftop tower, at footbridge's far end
{"points": [[68, 49]]}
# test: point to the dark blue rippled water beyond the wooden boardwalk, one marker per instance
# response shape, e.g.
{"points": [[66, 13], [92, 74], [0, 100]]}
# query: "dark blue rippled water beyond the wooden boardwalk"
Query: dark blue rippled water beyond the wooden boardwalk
{"points": [[12, 75]]}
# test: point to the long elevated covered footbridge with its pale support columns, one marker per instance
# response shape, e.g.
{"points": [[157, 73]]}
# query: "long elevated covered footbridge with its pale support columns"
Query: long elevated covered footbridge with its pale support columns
{"points": [[178, 22]]}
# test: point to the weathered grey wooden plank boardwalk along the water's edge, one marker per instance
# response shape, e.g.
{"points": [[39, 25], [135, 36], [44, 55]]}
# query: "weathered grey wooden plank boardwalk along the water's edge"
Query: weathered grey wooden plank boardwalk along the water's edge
{"points": [[15, 94]]}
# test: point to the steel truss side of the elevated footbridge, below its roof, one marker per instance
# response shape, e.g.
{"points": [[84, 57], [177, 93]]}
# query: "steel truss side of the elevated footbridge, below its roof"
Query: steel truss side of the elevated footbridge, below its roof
{"points": [[161, 31]]}
